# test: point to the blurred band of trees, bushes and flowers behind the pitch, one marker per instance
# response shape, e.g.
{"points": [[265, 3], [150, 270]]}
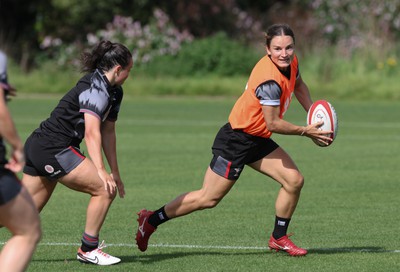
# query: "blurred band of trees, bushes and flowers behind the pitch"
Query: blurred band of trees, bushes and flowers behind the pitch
{"points": [[335, 39]]}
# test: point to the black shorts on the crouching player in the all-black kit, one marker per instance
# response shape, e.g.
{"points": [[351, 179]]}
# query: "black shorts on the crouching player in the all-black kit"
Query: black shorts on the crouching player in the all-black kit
{"points": [[48, 160]]}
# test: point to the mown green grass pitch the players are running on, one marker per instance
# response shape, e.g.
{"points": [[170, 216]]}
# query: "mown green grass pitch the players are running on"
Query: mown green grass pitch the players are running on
{"points": [[347, 216]]}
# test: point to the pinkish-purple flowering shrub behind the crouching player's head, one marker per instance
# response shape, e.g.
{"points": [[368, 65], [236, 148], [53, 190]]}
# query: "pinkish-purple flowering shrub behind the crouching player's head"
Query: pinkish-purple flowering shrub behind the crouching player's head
{"points": [[158, 38]]}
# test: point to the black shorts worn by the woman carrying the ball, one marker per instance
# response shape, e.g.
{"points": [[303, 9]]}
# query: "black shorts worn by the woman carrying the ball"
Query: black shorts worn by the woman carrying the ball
{"points": [[233, 149]]}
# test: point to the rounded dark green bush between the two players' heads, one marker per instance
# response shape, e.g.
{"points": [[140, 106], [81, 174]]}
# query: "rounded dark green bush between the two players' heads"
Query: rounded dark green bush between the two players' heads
{"points": [[218, 55]]}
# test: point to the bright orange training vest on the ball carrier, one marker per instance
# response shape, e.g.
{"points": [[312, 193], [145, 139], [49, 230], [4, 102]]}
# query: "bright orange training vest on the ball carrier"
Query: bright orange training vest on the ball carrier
{"points": [[247, 112]]}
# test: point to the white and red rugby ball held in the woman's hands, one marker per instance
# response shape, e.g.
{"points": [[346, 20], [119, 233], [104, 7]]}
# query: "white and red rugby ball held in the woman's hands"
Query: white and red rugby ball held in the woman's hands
{"points": [[322, 110]]}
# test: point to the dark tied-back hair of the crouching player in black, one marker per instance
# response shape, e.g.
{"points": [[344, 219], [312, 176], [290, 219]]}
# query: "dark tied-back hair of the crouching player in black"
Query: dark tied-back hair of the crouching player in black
{"points": [[105, 56]]}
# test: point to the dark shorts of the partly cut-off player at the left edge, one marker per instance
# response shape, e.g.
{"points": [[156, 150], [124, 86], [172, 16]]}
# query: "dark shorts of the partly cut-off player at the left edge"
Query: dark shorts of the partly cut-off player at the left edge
{"points": [[10, 186]]}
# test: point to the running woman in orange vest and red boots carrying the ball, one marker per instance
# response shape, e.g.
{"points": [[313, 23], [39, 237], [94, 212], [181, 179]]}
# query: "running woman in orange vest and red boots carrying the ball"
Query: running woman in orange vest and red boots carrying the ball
{"points": [[245, 140]]}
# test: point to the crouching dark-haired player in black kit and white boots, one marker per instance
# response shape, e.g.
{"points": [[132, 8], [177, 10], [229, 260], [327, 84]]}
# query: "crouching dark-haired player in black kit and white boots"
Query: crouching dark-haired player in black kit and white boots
{"points": [[88, 111]]}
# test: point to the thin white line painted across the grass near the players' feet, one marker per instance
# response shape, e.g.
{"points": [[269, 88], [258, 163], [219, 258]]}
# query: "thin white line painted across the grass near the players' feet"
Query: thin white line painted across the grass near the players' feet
{"points": [[338, 250]]}
